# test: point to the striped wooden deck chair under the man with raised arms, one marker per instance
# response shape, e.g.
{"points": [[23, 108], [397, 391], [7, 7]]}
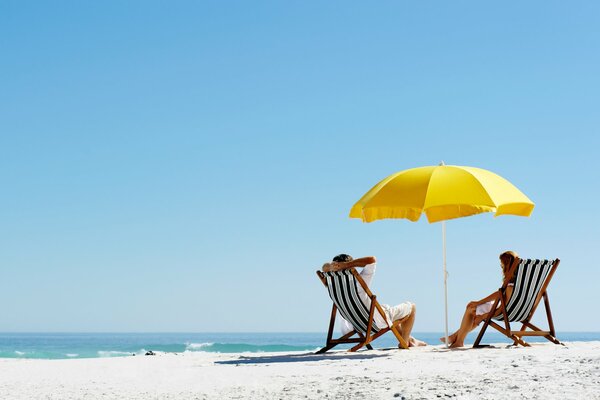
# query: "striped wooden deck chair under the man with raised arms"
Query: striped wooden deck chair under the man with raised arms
{"points": [[343, 290]]}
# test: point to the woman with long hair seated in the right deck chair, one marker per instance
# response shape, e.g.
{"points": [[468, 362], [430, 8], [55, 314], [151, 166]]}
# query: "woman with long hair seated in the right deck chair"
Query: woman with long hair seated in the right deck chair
{"points": [[478, 311]]}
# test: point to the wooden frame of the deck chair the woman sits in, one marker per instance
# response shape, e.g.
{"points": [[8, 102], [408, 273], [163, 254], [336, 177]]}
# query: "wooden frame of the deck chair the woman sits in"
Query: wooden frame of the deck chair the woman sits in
{"points": [[502, 303]]}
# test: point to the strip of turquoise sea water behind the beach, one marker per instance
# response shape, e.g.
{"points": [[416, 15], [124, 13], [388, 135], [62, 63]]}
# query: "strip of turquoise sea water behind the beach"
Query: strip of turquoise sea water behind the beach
{"points": [[93, 345]]}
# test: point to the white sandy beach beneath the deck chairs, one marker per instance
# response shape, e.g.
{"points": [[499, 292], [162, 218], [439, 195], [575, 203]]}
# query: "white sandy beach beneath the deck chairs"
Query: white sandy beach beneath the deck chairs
{"points": [[540, 372]]}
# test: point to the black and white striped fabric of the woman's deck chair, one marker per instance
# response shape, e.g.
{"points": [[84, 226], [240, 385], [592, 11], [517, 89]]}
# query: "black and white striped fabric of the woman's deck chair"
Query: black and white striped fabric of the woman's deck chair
{"points": [[530, 277]]}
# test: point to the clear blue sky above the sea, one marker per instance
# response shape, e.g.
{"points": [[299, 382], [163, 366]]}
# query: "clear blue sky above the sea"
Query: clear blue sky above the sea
{"points": [[187, 166]]}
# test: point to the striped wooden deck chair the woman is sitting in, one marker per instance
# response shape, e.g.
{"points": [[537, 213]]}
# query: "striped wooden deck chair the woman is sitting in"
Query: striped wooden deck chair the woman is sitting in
{"points": [[531, 279]]}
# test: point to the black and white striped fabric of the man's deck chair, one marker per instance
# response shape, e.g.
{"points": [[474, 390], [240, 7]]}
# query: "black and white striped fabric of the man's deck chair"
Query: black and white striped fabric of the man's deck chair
{"points": [[343, 290]]}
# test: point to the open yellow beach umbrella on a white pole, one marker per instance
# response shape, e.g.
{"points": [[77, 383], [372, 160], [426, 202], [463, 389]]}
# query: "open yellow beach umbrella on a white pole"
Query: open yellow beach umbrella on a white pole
{"points": [[441, 192]]}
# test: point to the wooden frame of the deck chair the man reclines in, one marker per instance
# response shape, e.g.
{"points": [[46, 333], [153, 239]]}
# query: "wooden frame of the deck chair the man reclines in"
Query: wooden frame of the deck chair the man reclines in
{"points": [[366, 337]]}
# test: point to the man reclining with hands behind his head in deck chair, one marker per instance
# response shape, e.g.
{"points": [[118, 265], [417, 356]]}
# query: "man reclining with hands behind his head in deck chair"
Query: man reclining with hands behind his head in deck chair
{"points": [[392, 313]]}
